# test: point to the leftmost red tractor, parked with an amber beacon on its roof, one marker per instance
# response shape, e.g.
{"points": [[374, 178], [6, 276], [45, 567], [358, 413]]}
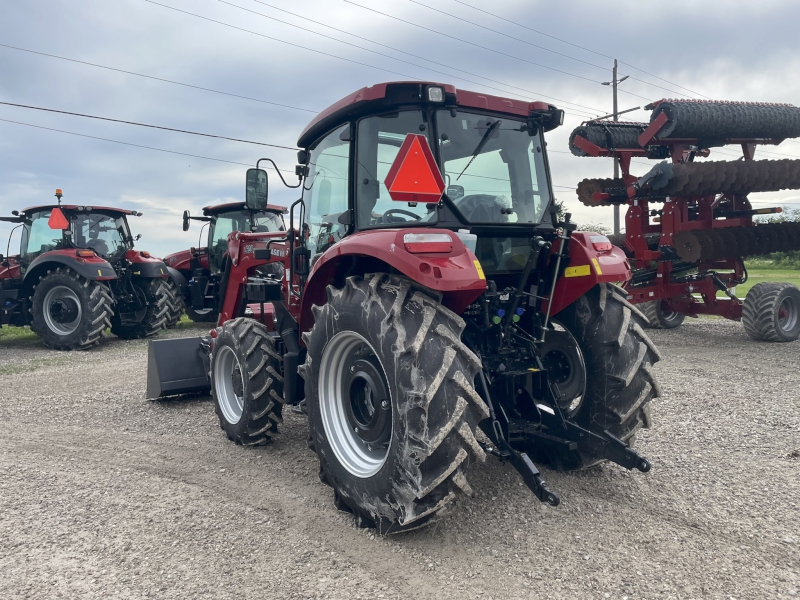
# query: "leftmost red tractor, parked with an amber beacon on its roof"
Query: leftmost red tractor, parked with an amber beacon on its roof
{"points": [[77, 274]]}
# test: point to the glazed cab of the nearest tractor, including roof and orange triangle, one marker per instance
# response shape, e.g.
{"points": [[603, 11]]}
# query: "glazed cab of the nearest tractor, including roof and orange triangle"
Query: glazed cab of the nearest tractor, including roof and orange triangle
{"points": [[489, 153]]}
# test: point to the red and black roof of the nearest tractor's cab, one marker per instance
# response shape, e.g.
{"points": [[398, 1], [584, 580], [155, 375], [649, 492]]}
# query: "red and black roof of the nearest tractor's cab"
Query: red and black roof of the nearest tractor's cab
{"points": [[386, 96]]}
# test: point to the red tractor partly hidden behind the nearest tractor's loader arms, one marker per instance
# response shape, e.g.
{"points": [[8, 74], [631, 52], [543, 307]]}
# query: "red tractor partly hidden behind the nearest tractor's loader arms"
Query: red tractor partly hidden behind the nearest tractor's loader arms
{"points": [[201, 268]]}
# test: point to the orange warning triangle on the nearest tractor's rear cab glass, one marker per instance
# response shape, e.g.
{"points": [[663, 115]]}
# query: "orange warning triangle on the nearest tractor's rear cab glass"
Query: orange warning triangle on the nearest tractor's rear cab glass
{"points": [[414, 175]]}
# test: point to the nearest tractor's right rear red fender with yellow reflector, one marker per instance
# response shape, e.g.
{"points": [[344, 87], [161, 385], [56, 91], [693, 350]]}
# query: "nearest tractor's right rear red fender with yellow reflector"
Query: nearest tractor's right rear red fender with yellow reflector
{"points": [[586, 268]]}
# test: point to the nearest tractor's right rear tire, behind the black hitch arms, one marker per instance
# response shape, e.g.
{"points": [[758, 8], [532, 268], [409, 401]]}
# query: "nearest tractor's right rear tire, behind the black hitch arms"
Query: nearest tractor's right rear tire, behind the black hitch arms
{"points": [[620, 381]]}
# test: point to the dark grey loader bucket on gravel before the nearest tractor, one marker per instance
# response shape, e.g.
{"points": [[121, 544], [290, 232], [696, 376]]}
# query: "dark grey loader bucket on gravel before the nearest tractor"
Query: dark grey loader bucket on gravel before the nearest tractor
{"points": [[177, 366]]}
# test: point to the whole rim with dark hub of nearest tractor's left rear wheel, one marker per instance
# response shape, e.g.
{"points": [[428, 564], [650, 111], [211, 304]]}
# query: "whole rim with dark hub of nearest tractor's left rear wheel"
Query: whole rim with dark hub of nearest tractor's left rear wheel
{"points": [[355, 404]]}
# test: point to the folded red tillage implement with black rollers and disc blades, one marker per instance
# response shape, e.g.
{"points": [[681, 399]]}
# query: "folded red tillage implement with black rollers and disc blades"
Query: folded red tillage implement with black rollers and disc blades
{"points": [[689, 223]]}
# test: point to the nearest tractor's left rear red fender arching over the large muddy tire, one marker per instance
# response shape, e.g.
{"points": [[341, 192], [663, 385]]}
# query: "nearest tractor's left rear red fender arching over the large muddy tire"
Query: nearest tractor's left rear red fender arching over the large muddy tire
{"points": [[456, 274]]}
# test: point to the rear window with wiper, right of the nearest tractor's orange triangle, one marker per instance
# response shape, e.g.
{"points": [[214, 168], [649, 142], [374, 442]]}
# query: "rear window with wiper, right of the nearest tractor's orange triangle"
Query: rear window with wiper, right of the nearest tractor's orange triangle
{"points": [[493, 167]]}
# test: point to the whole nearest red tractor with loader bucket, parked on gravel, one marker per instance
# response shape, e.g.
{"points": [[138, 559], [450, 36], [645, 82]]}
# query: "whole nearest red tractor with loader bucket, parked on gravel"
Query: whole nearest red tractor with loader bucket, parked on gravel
{"points": [[431, 310]]}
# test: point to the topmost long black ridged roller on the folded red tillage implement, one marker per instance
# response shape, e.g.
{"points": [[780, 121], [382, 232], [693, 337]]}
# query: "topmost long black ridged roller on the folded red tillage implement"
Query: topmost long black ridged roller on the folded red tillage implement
{"points": [[717, 120]]}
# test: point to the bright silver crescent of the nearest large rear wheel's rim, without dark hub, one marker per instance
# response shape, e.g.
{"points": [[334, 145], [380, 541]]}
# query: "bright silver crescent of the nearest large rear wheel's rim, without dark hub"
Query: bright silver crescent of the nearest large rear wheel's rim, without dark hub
{"points": [[355, 455]]}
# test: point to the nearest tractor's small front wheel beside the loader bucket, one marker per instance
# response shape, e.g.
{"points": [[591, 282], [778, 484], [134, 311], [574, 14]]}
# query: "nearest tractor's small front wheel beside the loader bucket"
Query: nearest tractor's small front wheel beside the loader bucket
{"points": [[246, 382]]}
